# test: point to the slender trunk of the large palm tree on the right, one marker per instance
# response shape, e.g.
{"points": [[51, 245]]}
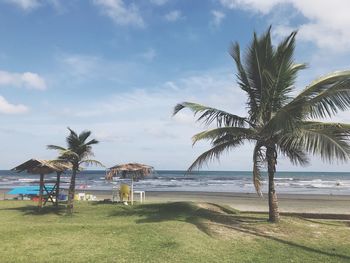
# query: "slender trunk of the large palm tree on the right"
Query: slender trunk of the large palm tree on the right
{"points": [[273, 204]]}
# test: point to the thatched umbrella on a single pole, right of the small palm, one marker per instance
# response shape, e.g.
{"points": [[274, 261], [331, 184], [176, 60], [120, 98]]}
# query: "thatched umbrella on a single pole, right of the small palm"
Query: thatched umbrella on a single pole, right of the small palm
{"points": [[134, 171]]}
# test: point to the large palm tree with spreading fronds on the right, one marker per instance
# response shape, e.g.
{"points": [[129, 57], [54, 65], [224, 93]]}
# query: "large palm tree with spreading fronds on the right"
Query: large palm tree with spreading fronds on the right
{"points": [[277, 122]]}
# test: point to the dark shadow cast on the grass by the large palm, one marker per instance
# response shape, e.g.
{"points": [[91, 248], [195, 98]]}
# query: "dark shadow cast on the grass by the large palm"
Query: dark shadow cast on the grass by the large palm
{"points": [[221, 216]]}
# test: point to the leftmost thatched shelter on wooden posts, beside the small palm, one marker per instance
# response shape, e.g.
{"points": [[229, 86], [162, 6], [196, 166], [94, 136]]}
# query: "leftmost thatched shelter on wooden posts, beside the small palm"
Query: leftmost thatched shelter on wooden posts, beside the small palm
{"points": [[42, 167]]}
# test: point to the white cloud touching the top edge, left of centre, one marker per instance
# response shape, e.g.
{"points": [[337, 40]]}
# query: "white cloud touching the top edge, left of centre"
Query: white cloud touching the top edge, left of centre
{"points": [[120, 13]]}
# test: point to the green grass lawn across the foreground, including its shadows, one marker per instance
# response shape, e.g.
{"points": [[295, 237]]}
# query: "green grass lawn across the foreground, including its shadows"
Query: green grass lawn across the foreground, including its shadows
{"points": [[167, 232]]}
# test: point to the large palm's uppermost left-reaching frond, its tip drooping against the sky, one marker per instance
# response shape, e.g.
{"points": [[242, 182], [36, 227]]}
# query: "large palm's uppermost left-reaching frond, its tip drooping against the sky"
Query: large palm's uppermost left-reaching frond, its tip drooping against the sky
{"points": [[209, 115]]}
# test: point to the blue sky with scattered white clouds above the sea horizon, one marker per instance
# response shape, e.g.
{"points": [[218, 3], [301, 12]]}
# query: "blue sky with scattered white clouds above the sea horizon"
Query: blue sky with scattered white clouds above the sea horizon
{"points": [[118, 67]]}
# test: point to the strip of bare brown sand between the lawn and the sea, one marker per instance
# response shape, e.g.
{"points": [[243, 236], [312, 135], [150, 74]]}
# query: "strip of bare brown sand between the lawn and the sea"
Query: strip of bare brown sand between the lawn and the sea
{"points": [[332, 204]]}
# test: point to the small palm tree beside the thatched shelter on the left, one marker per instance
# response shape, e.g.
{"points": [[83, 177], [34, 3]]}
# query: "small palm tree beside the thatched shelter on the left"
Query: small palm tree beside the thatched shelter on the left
{"points": [[78, 152]]}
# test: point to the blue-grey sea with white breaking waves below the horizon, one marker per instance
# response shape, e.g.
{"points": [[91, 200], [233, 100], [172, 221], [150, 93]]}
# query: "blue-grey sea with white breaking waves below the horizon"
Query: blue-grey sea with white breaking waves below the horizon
{"points": [[336, 183]]}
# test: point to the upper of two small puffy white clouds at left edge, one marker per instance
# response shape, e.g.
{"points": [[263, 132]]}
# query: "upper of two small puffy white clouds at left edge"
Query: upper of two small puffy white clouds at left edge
{"points": [[27, 79]]}
